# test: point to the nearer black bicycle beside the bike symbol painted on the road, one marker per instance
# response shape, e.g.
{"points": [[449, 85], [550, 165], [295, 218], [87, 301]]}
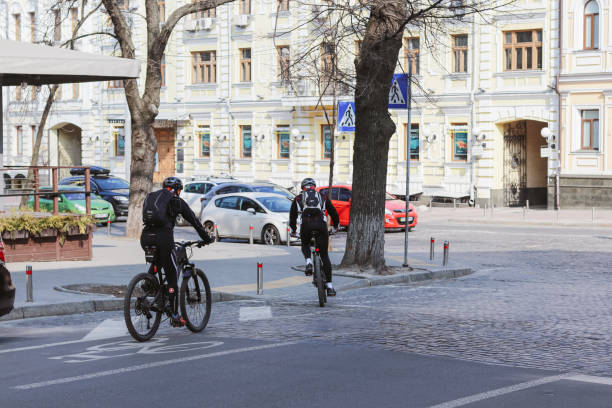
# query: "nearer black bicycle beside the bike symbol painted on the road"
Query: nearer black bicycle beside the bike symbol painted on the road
{"points": [[146, 299]]}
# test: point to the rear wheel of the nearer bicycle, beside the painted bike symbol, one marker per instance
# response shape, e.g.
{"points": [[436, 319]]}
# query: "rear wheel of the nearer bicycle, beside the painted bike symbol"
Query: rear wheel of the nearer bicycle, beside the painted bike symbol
{"points": [[140, 307]]}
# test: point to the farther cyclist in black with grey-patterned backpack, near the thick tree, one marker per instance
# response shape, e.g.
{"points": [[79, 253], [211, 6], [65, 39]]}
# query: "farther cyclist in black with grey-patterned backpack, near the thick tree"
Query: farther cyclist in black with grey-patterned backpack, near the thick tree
{"points": [[311, 206]]}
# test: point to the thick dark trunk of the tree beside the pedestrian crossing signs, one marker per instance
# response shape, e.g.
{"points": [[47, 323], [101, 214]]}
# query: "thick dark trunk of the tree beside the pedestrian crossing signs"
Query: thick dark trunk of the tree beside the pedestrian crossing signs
{"points": [[373, 130]]}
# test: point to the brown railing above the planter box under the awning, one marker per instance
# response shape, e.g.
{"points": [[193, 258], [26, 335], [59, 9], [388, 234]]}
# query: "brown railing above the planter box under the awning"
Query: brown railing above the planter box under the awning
{"points": [[31, 187]]}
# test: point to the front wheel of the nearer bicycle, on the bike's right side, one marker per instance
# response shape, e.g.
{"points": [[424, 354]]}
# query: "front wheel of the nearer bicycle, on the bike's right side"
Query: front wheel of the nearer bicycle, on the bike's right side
{"points": [[195, 301]]}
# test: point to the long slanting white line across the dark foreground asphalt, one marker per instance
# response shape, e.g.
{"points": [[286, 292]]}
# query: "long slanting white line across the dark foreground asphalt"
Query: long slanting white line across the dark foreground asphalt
{"points": [[149, 365]]}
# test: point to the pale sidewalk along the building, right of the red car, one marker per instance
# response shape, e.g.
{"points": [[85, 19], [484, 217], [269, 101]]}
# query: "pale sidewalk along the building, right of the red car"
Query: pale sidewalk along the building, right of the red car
{"points": [[588, 218]]}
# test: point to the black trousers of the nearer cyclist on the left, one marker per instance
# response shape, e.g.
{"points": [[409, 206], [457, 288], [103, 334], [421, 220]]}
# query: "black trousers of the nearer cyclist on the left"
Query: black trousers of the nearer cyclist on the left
{"points": [[163, 239]]}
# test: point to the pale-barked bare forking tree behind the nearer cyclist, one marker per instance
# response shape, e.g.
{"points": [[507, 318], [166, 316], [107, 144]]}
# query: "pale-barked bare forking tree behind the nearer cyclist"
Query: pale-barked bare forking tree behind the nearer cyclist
{"points": [[145, 107]]}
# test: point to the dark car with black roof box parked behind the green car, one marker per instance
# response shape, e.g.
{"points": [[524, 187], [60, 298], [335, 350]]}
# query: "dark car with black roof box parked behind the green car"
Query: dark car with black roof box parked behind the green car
{"points": [[113, 189]]}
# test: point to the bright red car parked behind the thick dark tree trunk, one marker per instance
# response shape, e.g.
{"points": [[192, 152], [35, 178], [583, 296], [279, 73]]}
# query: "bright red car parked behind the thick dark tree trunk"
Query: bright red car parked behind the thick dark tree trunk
{"points": [[395, 210]]}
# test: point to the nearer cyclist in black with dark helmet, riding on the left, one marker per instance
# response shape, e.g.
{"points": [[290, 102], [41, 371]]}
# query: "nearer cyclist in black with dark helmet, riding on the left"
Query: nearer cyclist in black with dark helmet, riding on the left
{"points": [[162, 236]]}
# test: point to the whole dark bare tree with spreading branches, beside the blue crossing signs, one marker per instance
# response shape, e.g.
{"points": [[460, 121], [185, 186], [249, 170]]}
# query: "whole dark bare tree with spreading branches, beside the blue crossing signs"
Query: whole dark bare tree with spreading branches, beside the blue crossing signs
{"points": [[373, 31]]}
